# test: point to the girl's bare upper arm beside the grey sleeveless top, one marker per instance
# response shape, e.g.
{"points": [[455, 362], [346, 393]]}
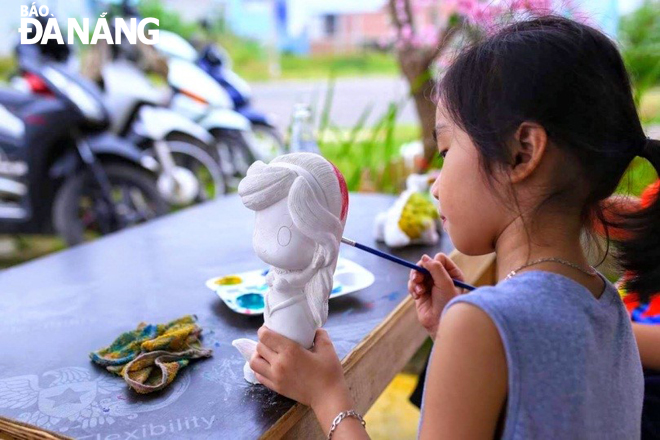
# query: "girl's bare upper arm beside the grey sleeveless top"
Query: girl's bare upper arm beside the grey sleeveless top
{"points": [[467, 379]]}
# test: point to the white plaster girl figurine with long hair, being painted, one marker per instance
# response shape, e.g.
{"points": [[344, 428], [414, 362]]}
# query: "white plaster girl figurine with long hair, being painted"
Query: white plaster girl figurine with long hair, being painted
{"points": [[301, 202]]}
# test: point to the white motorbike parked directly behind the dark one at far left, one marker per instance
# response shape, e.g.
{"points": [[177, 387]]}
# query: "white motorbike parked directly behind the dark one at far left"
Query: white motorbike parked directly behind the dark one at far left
{"points": [[188, 173]]}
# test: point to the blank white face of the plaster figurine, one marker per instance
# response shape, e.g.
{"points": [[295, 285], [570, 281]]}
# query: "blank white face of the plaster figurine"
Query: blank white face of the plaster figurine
{"points": [[278, 242]]}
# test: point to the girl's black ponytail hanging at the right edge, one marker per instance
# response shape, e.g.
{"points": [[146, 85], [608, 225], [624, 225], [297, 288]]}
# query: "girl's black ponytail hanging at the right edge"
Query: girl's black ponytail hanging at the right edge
{"points": [[639, 249]]}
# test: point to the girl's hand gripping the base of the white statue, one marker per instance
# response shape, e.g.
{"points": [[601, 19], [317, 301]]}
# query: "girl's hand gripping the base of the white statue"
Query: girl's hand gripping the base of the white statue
{"points": [[307, 376]]}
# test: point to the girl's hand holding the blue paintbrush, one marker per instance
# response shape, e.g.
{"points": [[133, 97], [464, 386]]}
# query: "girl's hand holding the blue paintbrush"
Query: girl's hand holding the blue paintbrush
{"points": [[431, 295]]}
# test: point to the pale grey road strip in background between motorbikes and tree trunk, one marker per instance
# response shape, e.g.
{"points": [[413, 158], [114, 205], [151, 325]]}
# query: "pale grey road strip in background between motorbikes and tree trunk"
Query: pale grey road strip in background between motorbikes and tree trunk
{"points": [[351, 97]]}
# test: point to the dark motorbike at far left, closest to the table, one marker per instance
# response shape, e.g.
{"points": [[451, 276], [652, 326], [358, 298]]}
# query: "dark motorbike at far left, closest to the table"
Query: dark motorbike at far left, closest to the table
{"points": [[61, 171]]}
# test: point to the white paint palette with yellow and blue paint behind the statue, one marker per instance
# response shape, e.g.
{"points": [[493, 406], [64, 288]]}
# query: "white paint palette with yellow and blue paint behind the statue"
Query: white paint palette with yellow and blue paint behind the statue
{"points": [[244, 292]]}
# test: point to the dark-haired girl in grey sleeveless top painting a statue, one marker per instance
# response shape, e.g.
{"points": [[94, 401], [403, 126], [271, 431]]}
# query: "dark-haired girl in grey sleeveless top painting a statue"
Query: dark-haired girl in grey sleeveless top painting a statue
{"points": [[537, 125]]}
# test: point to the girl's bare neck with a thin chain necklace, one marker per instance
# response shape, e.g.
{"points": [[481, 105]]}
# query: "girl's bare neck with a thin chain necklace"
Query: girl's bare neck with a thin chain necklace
{"points": [[550, 237]]}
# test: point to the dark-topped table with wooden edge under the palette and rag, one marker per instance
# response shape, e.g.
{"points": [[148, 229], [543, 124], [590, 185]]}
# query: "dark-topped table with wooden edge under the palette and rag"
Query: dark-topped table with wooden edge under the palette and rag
{"points": [[55, 310]]}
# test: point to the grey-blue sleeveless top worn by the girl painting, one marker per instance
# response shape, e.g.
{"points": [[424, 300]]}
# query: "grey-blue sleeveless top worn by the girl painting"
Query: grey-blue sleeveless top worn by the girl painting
{"points": [[573, 365]]}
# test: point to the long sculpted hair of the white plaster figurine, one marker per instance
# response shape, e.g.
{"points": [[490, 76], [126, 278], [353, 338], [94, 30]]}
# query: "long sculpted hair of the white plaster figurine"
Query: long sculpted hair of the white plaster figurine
{"points": [[266, 185]]}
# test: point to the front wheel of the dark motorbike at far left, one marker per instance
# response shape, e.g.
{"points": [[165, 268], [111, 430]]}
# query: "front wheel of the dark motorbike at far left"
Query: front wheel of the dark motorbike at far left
{"points": [[80, 212]]}
